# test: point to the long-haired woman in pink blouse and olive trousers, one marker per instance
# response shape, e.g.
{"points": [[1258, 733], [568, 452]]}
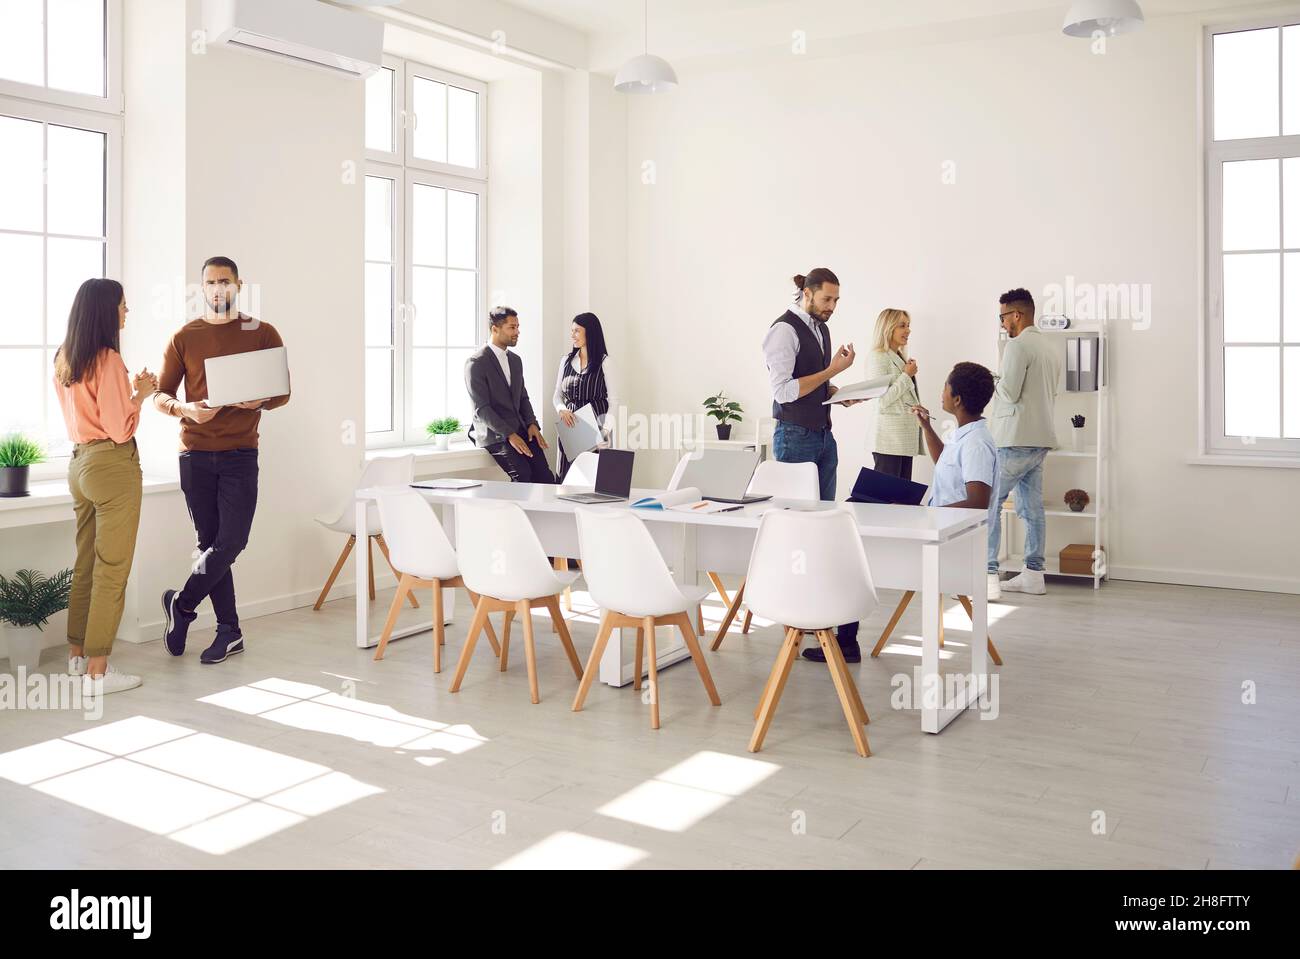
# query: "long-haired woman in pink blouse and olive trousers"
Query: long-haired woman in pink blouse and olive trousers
{"points": [[102, 410]]}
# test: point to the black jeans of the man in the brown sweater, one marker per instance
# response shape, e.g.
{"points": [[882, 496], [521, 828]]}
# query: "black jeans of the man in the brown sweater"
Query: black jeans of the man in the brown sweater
{"points": [[222, 493]]}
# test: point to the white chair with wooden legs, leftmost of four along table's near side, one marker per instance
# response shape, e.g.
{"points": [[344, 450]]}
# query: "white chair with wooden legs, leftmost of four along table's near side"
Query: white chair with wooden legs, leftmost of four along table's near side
{"points": [[427, 559]]}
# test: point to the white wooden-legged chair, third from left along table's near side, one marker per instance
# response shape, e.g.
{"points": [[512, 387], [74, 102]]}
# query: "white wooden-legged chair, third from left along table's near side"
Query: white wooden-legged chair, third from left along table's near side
{"points": [[630, 582]]}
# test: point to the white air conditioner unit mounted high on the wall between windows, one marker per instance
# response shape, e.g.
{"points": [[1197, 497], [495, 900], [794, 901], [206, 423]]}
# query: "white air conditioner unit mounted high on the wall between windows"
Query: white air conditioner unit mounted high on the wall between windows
{"points": [[301, 32]]}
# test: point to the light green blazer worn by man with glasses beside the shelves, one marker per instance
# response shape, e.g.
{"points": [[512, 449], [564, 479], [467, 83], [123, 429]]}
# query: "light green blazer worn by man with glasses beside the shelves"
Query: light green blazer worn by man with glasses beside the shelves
{"points": [[1024, 409]]}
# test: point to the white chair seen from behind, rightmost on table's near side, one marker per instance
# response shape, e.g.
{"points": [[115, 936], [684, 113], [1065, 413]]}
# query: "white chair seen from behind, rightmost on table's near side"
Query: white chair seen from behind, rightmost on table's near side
{"points": [[811, 571]]}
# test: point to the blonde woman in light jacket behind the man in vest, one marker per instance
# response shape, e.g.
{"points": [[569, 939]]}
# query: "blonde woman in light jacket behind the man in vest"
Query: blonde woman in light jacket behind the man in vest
{"points": [[898, 431]]}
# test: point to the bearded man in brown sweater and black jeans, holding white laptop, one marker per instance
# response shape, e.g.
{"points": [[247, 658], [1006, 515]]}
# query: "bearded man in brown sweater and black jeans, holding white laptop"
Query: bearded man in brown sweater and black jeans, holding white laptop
{"points": [[219, 457]]}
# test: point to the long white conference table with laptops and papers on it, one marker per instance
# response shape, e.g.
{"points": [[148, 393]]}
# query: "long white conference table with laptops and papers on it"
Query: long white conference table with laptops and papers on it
{"points": [[931, 550]]}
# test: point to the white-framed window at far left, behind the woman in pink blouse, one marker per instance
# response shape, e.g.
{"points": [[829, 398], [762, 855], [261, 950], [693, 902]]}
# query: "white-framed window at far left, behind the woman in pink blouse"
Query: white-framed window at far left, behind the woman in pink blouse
{"points": [[60, 194]]}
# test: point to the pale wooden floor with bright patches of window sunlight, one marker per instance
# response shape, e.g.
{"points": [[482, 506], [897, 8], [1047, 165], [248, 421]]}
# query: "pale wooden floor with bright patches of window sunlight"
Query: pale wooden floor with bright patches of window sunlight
{"points": [[1123, 740]]}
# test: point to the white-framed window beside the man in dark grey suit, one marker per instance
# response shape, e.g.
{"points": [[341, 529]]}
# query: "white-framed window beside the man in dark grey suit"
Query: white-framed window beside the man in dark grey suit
{"points": [[426, 193]]}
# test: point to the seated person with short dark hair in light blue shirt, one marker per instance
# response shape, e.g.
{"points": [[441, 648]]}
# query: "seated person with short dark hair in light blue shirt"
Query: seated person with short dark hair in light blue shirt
{"points": [[964, 467]]}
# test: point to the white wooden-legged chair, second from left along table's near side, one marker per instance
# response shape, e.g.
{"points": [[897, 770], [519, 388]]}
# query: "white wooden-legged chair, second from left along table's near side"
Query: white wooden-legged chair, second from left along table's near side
{"points": [[502, 561]]}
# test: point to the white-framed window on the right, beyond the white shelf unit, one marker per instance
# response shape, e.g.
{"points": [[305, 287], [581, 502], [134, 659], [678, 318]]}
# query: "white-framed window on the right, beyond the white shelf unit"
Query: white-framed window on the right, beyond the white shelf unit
{"points": [[1253, 150]]}
